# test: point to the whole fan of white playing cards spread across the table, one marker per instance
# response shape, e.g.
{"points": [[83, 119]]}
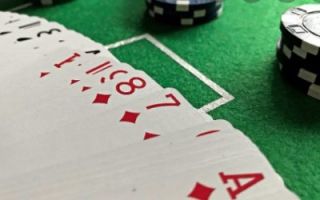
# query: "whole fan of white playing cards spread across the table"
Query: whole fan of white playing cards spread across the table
{"points": [[77, 123]]}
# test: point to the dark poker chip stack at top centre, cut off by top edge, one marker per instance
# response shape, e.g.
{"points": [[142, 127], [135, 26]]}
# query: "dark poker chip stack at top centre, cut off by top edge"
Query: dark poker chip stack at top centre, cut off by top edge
{"points": [[184, 12]]}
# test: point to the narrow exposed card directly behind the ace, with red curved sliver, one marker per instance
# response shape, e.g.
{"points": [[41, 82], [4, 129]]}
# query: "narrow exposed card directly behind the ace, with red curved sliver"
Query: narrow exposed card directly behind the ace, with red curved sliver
{"points": [[181, 147]]}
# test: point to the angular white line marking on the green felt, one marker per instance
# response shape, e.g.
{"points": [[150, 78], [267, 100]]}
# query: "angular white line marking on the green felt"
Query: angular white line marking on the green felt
{"points": [[225, 96]]}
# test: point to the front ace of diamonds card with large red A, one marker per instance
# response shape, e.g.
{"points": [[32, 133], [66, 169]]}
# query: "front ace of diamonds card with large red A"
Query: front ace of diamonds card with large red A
{"points": [[240, 177]]}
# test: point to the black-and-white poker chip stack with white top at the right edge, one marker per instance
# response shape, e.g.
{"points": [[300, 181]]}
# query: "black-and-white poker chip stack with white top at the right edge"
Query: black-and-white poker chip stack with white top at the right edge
{"points": [[298, 49]]}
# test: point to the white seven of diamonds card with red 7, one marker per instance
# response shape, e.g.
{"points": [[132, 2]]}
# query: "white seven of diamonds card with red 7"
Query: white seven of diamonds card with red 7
{"points": [[156, 115]]}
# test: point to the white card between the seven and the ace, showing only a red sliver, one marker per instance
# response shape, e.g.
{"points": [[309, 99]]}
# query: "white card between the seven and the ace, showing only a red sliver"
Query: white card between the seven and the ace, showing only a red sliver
{"points": [[151, 158]]}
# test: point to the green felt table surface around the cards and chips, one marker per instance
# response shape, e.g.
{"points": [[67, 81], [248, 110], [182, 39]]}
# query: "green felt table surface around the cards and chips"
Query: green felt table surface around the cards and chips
{"points": [[237, 52]]}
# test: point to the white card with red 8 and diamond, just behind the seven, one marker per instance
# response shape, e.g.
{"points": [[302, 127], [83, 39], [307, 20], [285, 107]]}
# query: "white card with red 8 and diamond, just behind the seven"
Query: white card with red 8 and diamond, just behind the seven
{"points": [[68, 100]]}
